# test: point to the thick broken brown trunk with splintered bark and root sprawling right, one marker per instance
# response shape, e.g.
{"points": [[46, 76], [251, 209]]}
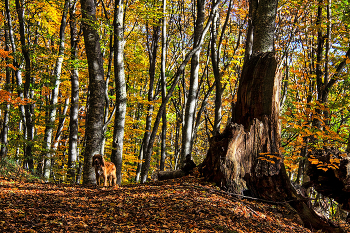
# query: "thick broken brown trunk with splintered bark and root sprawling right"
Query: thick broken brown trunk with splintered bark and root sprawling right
{"points": [[247, 154]]}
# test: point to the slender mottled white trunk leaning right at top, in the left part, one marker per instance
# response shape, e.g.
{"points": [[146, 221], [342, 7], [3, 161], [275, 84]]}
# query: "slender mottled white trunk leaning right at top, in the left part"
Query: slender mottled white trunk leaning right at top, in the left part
{"points": [[56, 80]]}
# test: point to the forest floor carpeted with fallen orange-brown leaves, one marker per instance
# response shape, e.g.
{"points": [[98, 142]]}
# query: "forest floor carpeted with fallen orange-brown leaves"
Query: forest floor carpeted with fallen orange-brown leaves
{"points": [[181, 205]]}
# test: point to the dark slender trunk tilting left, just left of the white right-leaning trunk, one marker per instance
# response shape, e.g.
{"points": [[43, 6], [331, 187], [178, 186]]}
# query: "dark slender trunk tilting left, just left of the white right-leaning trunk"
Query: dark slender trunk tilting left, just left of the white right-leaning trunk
{"points": [[28, 111]]}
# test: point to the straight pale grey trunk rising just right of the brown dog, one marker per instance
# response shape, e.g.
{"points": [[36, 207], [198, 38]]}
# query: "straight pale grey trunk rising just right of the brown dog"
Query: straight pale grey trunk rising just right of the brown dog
{"points": [[120, 88]]}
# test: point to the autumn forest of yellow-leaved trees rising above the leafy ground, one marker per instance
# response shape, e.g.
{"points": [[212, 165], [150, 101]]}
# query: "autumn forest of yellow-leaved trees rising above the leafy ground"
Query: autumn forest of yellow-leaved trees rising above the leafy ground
{"points": [[256, 92]]}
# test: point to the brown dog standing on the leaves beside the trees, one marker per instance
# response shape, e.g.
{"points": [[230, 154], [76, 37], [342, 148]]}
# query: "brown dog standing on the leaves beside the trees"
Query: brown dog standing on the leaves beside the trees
{"points": [[103, 169]]}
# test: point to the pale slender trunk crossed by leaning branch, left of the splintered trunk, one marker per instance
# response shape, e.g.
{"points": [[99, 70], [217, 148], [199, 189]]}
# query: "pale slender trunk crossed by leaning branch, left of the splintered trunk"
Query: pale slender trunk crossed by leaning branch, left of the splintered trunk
{"points": [[193, 88]]}
